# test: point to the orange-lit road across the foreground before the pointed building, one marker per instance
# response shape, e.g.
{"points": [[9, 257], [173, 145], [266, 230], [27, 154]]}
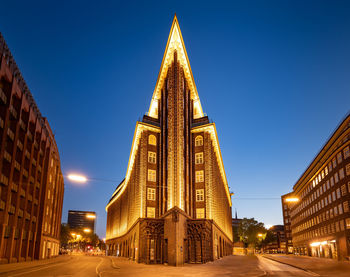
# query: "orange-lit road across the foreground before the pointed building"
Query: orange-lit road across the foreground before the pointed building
{"points": [[87, 266]]}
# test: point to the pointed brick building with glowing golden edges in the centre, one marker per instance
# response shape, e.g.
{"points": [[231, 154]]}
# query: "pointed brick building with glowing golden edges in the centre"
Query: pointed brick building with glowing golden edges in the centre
{"points": [[174, 204]]}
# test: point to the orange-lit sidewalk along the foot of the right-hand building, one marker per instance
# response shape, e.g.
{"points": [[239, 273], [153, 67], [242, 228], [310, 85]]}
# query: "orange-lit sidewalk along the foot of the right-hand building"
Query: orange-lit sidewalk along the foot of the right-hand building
{"points": [[322, 266]]}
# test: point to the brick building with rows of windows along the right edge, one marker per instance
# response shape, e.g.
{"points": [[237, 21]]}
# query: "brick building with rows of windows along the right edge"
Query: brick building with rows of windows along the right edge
{"points": [[319, 217]]}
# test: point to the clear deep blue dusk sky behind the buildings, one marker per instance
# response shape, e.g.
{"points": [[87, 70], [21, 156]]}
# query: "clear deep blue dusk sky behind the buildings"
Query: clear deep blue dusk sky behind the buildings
{"points": [[273, 75]]}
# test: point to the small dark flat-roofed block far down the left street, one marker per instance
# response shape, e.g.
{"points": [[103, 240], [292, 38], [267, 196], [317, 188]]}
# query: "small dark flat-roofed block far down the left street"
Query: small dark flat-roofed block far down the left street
{"points": [[82, 220]]}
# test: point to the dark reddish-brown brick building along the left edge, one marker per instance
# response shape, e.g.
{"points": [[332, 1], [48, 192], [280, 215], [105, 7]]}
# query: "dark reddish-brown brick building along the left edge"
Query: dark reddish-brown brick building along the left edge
{"points": [[31, 182]]}
